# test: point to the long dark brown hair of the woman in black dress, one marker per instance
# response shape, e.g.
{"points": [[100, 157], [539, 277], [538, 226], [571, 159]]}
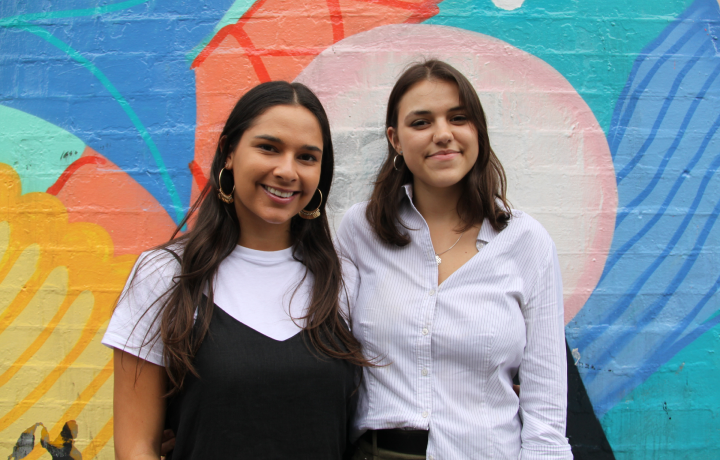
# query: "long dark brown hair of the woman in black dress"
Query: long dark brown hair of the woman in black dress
{"points": [[215, 233]]}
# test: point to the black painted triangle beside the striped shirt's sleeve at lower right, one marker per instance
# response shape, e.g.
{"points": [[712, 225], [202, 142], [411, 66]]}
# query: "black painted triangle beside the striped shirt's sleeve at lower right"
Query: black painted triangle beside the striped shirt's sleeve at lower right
{"points": [[584, 431]]}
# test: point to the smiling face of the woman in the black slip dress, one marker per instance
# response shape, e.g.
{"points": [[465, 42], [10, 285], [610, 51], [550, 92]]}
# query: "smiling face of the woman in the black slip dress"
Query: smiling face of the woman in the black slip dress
{"points": [[276, 166]]}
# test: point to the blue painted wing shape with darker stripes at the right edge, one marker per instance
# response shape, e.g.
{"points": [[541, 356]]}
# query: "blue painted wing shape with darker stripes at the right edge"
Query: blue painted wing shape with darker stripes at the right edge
{"points": [[659, 291]]}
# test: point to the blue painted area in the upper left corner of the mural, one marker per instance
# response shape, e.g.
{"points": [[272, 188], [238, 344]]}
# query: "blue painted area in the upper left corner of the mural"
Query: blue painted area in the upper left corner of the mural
{"points": [[138, 107]]}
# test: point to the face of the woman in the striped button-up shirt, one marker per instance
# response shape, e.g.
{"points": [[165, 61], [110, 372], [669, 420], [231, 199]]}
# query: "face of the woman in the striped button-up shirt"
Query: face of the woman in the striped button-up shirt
{"points": [[438, 142]]}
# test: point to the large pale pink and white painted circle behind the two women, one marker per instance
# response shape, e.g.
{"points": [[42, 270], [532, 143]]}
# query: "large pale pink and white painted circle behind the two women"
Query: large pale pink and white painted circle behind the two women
{"points": [[557, 160]]}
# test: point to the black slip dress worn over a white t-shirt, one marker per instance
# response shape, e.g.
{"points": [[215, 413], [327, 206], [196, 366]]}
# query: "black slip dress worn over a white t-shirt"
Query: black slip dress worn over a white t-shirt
{"points": [[259, 398]]}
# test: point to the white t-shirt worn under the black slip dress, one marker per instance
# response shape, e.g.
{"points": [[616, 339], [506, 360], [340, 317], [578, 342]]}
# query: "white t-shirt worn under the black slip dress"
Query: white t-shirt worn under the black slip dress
{"points": [[257, 288]]}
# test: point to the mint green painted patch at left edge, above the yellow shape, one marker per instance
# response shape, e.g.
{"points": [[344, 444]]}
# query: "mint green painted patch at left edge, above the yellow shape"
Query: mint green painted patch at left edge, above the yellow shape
{"points": [[39, 151]]}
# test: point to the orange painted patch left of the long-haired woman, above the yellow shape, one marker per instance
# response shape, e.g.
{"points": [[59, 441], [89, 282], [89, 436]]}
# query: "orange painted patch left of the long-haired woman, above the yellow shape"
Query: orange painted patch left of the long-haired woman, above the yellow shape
{"points": [[98, 191]]}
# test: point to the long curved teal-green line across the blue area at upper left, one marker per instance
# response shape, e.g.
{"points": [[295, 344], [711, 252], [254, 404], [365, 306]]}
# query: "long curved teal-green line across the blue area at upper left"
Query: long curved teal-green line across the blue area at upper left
{"points": [[74, 54]]}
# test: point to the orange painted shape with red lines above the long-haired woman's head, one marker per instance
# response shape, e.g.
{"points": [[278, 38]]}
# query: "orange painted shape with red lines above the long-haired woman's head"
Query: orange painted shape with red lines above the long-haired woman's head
{"points": [[277, 39]]}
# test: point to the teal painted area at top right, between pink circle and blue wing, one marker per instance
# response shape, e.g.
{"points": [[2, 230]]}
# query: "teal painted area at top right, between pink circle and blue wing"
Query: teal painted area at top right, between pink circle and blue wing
{"points": [[593, 44]]}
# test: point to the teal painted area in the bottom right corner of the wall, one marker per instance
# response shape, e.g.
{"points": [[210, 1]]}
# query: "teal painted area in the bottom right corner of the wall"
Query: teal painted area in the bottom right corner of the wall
{"points": [[675, 414]]}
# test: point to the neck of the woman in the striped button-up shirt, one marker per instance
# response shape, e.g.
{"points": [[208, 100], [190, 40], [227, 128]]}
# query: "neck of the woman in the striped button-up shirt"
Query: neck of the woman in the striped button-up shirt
{"points": [[437, 205]]}
